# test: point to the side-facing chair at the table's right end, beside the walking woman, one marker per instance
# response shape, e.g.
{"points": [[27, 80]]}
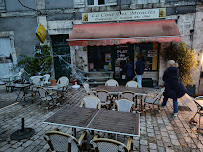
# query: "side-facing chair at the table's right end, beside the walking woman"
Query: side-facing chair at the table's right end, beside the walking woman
{"points": [[154, 98]]}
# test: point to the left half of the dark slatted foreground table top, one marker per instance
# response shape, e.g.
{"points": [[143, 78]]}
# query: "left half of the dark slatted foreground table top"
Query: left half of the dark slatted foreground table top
{"points": [[72, 116]]}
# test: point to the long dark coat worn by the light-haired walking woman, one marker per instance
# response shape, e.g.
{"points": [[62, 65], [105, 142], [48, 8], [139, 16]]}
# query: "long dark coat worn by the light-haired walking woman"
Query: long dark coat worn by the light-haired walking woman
{"points": [[174, 88]]}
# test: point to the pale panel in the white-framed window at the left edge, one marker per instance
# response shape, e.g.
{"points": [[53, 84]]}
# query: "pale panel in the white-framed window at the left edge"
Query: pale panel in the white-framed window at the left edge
{"points": [[5, 47]]}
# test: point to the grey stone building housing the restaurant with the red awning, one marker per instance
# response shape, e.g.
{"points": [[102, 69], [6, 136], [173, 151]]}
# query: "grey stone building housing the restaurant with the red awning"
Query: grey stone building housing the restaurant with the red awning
{"points": [[19, 21]]}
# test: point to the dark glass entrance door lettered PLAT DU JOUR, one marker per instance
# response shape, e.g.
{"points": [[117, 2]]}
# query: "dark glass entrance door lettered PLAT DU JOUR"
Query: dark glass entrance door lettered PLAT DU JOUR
{"points": [[120, 56]]}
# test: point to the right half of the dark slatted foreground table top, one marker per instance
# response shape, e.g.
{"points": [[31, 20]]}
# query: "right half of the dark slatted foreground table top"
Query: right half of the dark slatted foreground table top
{"points": [[116, 122]]}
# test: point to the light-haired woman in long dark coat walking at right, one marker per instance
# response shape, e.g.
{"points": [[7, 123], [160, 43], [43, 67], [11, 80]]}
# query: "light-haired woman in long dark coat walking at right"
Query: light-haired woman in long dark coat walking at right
{"points": [[173, 87]]}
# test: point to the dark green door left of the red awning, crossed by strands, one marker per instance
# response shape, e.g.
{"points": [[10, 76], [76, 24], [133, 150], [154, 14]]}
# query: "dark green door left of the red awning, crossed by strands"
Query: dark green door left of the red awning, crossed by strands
{"points": [[61, 52]]}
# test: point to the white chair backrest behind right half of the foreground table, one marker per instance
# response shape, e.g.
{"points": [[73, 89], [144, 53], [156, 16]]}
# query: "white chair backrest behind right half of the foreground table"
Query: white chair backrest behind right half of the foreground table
{"points": [[124, 104]]}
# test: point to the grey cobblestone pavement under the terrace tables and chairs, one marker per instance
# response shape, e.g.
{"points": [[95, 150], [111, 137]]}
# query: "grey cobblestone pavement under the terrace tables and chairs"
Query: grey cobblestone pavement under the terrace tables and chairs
{"points": [[158, 131]]}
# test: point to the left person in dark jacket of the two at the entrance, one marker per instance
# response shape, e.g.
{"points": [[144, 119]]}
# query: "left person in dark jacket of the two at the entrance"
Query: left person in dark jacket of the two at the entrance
{"points": [[128, 68]]}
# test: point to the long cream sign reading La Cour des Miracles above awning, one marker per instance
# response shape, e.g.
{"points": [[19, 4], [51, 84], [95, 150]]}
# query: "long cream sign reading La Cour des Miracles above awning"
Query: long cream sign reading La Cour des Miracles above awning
{"points": [[124, 15]]}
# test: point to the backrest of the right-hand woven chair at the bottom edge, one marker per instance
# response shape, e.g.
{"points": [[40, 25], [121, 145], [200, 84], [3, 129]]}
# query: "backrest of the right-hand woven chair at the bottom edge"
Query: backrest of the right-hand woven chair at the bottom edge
{"points": [[108, 145]]}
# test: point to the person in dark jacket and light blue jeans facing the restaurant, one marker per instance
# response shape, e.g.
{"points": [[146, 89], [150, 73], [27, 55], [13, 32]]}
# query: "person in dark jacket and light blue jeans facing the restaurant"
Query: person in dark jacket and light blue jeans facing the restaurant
{"points": [[140, 66]]}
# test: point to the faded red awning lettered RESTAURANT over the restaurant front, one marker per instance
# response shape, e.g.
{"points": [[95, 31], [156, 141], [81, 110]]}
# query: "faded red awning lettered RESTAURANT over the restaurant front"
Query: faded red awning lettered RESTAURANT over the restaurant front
{"points": [[123, 33]]}
